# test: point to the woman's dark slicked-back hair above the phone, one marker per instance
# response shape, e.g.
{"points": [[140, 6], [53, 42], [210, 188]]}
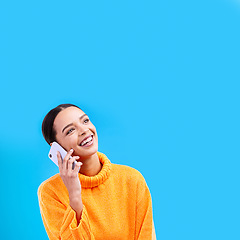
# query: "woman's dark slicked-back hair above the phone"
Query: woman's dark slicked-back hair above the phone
{"points": [[48, 130]]}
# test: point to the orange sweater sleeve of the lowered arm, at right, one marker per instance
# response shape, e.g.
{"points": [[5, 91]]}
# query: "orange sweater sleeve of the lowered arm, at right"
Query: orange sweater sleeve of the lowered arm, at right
{"points": [[144, 216]]}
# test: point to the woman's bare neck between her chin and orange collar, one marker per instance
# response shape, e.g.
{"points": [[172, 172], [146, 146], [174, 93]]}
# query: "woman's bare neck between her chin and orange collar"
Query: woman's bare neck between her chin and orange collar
{"points": [[91, 166]]}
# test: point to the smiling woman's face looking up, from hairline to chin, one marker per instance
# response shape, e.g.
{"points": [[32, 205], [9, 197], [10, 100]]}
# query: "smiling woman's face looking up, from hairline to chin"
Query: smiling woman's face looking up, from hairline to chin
{"points": [[75, 130]]}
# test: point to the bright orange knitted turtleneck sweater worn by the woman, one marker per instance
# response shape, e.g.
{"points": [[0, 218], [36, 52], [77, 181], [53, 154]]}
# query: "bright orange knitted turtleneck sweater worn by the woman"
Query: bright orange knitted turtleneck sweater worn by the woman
{"points": [[117, 205]]}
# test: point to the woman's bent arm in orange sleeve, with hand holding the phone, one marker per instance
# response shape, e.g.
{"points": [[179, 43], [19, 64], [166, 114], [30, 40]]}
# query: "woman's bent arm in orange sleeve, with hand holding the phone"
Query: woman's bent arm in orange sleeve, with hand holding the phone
{"points": [[65, 220]]}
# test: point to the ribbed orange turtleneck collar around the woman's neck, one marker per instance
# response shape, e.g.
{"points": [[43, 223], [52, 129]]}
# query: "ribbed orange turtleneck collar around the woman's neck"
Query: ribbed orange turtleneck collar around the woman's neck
{"points": [[91, 182]]}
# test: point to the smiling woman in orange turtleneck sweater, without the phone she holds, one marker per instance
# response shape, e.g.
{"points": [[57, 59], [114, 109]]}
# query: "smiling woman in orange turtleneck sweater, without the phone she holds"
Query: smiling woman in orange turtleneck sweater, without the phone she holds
{"points": [[96, 199]]}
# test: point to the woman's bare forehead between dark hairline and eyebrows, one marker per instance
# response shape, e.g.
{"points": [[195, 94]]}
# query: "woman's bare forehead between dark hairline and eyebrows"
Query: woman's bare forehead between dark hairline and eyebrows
{"points": [[67, 116]]}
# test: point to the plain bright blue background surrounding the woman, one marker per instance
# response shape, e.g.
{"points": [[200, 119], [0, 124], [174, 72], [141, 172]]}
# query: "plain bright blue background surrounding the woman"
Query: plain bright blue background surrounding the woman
{"points": [[160, 81]]}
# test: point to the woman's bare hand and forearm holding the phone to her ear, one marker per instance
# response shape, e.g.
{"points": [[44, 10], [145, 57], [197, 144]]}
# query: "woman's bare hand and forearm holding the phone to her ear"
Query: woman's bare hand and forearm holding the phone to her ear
{"points": [[71, 180]]}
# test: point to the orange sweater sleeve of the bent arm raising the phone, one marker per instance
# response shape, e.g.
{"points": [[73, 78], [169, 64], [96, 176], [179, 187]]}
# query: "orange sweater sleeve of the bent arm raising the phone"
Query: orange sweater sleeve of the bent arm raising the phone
{"points": [[60, 220]]}
